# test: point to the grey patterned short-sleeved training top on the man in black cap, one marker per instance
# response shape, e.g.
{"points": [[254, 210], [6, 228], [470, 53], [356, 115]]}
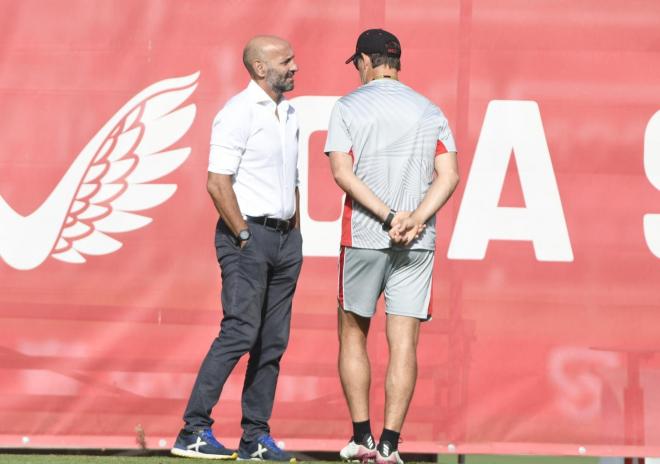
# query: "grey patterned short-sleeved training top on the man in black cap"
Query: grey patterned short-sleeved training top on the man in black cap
{"points": [[393, 134]]}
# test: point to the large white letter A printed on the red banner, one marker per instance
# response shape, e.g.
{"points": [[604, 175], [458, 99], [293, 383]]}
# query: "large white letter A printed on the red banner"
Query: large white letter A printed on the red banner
{"points": [[511, 127]]}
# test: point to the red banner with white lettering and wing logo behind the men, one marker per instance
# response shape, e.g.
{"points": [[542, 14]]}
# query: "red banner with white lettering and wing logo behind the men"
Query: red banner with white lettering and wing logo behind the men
{"points": [[546, 302]]}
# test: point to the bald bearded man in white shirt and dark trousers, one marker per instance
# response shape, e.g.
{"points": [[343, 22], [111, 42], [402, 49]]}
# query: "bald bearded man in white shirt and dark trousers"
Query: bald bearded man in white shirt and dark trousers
{"points": [[253, 182]]}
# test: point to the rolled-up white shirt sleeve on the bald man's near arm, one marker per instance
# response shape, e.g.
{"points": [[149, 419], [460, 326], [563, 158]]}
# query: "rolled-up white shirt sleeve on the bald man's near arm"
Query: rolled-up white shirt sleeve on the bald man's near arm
{"points": [[229, 136]]}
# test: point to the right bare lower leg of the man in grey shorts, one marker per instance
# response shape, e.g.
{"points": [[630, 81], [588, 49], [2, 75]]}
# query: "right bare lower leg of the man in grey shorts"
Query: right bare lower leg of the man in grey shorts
{"points": [[402, 336]]}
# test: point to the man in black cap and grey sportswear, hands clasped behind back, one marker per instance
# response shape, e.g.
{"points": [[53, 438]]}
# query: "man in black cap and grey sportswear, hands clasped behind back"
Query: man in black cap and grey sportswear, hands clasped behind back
{"points": [[392, 152]]}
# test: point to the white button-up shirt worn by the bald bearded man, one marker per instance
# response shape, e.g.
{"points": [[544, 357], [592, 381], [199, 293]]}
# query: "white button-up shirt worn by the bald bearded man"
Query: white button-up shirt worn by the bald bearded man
{"points": [[259, 150]]}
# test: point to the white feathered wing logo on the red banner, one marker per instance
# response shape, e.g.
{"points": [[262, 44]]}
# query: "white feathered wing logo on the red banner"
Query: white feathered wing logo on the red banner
{"points": [[109, 180]]}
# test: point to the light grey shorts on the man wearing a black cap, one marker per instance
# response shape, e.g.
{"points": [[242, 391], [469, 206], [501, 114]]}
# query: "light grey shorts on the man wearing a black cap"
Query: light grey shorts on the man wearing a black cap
{"points": [[403, 275]]}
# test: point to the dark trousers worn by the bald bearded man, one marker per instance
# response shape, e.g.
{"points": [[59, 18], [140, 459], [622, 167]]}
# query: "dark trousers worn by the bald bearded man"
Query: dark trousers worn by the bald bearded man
{"points": [[258, 282]]}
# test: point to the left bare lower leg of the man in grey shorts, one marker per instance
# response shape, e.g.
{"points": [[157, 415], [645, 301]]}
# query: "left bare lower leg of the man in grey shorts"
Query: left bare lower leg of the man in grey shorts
{"points": [[354, 369]]}
